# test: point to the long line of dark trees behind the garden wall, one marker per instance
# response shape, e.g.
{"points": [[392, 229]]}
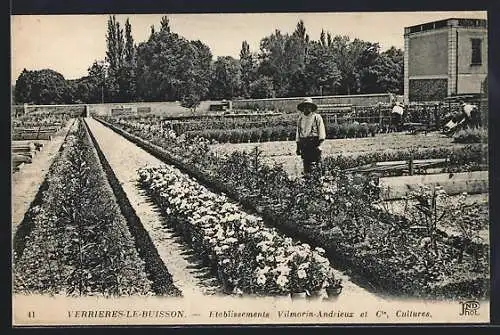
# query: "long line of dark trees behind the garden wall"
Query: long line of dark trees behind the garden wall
{"points": [[168, 67]]}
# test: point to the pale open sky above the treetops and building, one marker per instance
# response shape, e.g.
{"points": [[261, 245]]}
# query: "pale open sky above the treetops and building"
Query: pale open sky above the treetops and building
{"points": [[69, 44]]}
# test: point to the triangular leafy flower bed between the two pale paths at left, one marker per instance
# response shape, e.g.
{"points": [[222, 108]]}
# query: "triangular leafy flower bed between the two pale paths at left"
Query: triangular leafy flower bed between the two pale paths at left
{"points": [[78, 242]]}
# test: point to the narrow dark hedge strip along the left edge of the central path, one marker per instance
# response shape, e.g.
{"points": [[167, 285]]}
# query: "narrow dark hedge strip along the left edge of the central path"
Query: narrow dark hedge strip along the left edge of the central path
{"points": [[156, 270]]}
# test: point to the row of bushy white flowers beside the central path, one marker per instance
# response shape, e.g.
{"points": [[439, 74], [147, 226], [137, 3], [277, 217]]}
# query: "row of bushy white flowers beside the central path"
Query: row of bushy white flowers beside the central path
{"points": [[249, 257]]}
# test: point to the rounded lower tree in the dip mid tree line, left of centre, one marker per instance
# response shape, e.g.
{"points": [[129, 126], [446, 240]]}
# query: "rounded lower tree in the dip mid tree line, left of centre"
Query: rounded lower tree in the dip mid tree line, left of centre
{"points": [[226, 78]]}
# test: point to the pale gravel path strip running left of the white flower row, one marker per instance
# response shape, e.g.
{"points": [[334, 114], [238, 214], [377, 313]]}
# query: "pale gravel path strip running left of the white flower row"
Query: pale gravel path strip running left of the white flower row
{"points": [[125, 159]]}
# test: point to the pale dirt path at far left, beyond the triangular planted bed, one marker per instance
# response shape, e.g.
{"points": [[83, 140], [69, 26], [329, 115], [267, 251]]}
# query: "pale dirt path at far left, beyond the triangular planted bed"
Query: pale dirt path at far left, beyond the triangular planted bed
{"points": [[26, 182]]}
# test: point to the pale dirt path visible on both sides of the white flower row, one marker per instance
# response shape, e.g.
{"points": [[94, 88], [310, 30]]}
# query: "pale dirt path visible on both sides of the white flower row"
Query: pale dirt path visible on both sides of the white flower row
{"points": [[125, 158]]}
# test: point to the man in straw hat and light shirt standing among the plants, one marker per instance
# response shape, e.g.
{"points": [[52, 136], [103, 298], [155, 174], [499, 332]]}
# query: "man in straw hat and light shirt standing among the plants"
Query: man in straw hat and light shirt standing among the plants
{"points": [[310, 134]]}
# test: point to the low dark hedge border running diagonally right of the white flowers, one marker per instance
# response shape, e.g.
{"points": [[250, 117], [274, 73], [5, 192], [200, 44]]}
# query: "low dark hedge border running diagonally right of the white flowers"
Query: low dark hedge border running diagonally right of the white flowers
{"points": [[385, 278]]}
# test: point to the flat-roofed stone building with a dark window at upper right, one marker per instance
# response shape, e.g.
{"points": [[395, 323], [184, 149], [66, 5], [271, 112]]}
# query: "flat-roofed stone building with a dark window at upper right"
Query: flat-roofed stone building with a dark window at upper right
{"points": [[444, 58]]}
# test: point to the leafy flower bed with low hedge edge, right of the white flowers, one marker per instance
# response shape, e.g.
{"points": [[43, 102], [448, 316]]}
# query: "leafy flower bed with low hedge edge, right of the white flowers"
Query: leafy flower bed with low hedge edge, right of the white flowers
{"points": [[335, 213]]}
